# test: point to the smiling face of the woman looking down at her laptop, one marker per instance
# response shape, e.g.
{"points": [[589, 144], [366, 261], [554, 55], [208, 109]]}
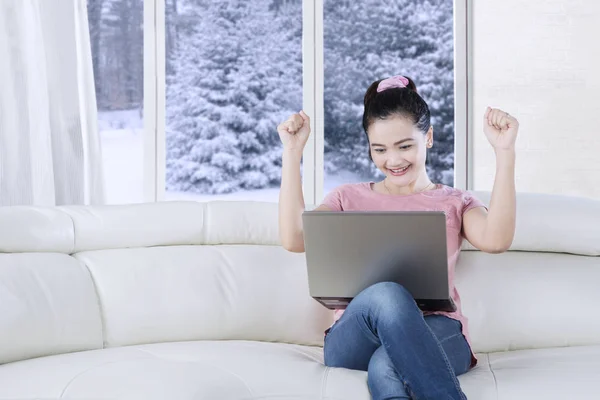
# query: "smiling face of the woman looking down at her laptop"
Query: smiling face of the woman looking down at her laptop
{"points": [[399, 149]]}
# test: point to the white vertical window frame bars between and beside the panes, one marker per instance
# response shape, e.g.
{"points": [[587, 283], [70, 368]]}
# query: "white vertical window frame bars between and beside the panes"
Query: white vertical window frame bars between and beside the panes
{"points": [[313, 103]]}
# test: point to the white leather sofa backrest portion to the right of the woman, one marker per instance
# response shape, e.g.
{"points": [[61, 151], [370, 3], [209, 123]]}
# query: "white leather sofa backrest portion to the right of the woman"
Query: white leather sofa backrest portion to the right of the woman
{"points": [[544, 291]]}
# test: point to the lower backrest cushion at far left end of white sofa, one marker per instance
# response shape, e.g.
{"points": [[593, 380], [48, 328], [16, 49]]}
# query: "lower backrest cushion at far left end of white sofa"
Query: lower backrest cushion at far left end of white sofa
{"points": [[48, 305]]}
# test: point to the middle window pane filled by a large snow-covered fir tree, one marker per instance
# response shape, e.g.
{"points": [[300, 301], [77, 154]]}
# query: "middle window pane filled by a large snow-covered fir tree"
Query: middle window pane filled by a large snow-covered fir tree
{"points": [[234, 71]]}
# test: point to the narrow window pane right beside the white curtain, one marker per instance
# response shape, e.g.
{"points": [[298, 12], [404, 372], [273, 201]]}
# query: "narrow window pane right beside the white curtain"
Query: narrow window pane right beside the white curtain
{"points": [[116, 35]]}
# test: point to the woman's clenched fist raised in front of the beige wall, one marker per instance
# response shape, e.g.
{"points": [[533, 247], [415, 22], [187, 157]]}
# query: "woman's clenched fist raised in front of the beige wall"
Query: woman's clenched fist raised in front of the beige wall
{"points": [[500, 128]]}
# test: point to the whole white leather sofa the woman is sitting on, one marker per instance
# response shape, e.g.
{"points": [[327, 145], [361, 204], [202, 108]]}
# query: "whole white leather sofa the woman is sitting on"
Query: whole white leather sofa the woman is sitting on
{"points": [[189, 300]]}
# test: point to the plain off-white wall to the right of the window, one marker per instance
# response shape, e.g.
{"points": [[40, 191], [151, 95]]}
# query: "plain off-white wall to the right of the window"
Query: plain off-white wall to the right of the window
{"points": [[537, 60]]}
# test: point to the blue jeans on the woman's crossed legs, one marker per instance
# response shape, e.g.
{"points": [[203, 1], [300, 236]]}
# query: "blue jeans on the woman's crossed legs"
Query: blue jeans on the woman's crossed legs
{"points": [[406, 355]]}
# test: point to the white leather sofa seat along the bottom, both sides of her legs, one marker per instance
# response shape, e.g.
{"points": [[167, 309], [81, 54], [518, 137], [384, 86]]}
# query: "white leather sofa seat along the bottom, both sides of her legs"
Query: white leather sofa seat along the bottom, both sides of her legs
{"points": [[240, 370]]}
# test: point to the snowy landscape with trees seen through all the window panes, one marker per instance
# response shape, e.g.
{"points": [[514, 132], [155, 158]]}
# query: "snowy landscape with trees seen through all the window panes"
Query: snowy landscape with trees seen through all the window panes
{"points": [[234, 71]]}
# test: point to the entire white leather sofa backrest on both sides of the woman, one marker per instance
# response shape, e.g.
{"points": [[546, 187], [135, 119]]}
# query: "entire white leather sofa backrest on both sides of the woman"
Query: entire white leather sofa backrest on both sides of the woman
{"points": [[85, 277]]}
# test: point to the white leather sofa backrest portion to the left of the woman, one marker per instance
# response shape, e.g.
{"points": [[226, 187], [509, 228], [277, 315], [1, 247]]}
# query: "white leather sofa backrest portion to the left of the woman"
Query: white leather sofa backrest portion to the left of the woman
{"points": [[157, 272]]}
